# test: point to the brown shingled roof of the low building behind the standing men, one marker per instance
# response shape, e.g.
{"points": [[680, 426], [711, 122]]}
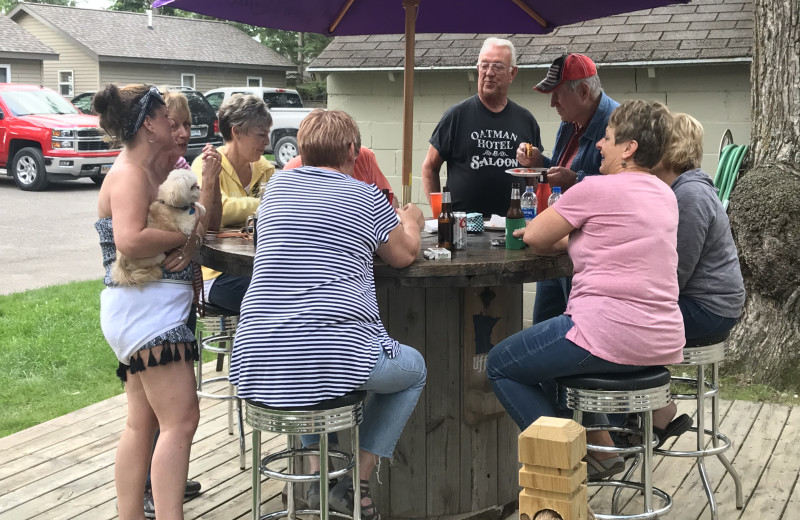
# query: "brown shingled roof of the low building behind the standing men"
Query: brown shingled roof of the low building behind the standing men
{"points": [[703, 31]]}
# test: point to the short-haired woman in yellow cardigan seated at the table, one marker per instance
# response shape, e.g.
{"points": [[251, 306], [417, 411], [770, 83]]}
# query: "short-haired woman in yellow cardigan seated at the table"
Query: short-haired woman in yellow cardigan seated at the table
{"points": [[244, 122]]}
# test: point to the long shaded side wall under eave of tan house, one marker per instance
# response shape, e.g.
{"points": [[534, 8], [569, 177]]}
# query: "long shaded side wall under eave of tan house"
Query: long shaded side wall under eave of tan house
{"points": [[206, 78]]}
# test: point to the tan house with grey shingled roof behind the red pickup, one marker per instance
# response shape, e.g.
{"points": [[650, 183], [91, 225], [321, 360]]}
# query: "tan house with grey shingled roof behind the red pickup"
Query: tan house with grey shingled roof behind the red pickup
{"points": [[97, 47]]}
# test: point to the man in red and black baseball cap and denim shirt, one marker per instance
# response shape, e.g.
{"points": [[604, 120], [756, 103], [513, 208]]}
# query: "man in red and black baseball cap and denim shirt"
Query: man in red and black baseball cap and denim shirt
{"points": [[576, 94]]}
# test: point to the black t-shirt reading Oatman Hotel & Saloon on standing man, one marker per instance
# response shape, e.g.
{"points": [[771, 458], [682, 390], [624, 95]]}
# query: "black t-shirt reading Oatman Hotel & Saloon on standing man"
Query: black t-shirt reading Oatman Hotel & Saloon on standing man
{"points": [[478, 146]]}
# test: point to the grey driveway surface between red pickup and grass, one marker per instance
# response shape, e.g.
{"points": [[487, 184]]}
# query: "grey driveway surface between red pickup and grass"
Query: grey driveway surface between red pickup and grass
{"points": [[48, 237]]}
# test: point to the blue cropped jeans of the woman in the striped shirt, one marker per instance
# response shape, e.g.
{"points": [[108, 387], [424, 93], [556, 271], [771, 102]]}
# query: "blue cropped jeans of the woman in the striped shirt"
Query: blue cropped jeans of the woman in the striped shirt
{"points": [[394, 386]]}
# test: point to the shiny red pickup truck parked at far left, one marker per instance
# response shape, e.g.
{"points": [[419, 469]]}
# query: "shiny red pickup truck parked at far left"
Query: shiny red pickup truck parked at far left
{"points": [[44, 138]]}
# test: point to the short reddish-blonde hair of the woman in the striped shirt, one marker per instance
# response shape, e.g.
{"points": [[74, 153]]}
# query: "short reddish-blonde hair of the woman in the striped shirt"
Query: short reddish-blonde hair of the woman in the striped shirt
{"points": [[325, 136]]}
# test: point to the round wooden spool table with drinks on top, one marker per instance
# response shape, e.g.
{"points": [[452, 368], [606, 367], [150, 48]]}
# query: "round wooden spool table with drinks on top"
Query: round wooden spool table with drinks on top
{"points": [[458, 452]]}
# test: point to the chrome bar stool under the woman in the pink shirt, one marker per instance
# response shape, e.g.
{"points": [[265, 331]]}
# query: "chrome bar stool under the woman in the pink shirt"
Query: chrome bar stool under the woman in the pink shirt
{"points": [[636, 393]]}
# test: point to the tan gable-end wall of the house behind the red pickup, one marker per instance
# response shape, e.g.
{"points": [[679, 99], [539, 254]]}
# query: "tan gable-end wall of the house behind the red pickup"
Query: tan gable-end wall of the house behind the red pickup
{"points": [[71, 57]]}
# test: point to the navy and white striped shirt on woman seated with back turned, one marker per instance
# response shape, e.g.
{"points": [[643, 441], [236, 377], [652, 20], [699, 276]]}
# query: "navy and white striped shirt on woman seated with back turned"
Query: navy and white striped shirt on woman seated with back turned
{"points": [[310, 328]]}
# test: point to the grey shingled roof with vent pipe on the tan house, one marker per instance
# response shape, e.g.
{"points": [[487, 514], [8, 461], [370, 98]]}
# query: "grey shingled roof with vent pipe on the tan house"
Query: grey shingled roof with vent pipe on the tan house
{"points": [[120, 35]]}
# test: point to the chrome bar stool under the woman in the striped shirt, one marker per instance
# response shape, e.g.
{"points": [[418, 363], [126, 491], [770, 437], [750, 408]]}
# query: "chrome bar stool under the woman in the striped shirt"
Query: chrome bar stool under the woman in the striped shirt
{"points": [[333, 415]]}
